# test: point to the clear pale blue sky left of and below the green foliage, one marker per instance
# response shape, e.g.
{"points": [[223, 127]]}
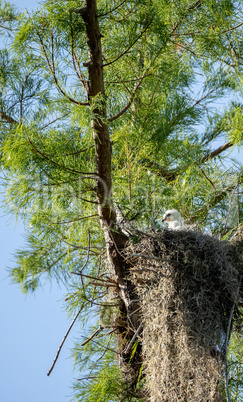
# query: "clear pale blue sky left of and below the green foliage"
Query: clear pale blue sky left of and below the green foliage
{"points": [[32, 327]]}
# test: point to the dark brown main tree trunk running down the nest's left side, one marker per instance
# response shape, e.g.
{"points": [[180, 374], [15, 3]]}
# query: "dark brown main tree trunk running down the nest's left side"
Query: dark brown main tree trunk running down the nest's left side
{"points": [[115, 239]]}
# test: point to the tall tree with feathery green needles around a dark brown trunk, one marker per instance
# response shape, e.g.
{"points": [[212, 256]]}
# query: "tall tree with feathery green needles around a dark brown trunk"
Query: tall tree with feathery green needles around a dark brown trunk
{"points": [[111, 113]]}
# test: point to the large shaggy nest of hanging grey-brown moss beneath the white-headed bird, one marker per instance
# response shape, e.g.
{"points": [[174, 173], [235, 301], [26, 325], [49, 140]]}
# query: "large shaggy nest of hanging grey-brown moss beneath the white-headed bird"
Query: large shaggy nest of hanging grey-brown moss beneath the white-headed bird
{"points": [[189, 286]]}
